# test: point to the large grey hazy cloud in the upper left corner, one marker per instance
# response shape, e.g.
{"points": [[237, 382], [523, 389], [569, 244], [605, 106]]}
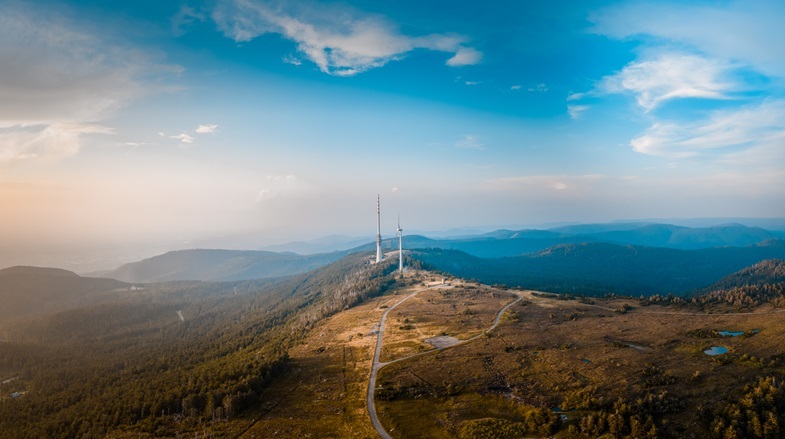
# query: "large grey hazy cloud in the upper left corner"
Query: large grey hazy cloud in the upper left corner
{"points": [[60, 80]]}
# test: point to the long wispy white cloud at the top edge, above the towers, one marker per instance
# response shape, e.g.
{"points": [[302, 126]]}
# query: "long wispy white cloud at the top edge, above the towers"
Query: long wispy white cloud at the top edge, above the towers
{"points": [[339, 41]]}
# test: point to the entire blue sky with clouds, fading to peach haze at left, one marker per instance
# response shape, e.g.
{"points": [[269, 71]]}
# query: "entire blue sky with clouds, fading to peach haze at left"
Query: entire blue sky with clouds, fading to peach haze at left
{"points": [[243, 123]]}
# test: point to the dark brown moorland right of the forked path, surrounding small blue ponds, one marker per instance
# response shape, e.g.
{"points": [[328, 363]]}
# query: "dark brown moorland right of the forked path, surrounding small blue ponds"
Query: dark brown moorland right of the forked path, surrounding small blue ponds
{"points": [[559, 353]]}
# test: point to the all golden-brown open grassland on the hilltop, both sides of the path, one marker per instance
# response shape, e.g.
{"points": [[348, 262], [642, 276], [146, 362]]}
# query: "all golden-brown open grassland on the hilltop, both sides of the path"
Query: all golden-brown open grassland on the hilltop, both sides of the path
{"points": [[546, 353]]}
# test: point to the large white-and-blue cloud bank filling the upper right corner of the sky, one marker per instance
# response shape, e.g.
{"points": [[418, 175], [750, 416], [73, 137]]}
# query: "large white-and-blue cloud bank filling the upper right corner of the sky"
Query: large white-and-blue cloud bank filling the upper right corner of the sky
{"points": [[733, 52]]}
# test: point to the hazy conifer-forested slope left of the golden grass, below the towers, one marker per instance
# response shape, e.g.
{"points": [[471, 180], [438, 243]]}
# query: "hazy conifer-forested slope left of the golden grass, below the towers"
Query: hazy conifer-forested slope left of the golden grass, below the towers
{"points": [[184, 357]]}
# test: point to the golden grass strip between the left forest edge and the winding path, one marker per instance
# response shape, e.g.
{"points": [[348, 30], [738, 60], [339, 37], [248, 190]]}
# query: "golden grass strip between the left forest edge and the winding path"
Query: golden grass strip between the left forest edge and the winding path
{"points": [[323, 396]]}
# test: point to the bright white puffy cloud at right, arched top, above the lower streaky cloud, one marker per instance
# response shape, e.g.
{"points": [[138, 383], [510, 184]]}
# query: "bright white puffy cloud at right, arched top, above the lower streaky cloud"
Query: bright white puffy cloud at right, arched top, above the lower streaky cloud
{"points": [[671, 76]]}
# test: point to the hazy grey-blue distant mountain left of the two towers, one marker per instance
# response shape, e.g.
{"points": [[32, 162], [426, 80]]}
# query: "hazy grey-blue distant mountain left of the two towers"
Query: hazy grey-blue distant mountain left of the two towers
{"points": [[219, 265]]}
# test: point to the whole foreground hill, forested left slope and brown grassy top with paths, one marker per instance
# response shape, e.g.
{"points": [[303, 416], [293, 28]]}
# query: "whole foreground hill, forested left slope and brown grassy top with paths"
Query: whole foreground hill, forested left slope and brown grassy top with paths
{"points": [[296, 357]]}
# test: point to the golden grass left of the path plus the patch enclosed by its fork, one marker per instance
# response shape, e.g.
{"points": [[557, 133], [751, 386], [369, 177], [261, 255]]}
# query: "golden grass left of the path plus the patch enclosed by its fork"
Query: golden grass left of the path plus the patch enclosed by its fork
{"points": [[324, 394]]}
